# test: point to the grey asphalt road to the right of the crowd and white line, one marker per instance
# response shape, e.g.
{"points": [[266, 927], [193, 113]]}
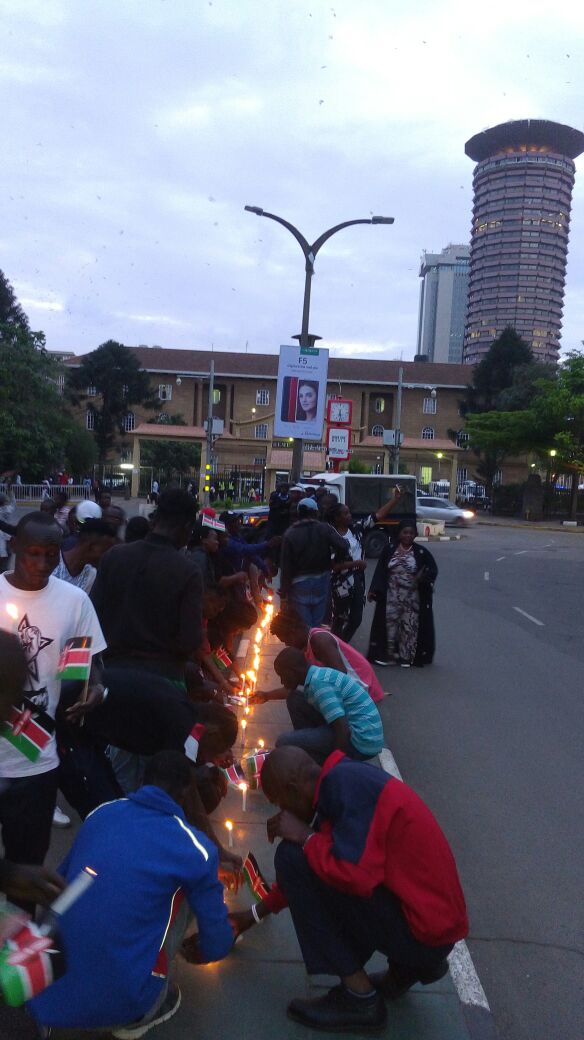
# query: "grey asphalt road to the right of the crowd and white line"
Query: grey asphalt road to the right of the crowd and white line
{"points": [[491, 736]]}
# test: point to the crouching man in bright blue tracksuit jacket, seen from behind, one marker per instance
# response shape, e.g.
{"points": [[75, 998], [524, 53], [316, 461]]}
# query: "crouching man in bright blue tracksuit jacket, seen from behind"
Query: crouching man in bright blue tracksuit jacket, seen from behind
{"points": [[121, 935]]}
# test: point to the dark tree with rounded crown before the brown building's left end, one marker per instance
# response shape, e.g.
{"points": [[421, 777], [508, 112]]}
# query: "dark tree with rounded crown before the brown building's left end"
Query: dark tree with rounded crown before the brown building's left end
{"points": [[115, 375]]}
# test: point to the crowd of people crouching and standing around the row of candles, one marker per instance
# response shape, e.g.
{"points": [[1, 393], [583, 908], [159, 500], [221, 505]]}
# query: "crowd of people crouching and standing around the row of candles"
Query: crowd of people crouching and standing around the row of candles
{"points": [[117, 664]]}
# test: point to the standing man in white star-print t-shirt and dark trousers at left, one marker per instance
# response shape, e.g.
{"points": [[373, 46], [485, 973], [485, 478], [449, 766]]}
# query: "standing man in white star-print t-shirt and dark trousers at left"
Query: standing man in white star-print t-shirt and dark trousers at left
{"points": [[45, 614]]}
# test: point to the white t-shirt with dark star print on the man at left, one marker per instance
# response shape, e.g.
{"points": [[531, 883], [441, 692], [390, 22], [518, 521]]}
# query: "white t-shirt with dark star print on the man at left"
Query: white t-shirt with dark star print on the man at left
{"points": [[44, 622]]}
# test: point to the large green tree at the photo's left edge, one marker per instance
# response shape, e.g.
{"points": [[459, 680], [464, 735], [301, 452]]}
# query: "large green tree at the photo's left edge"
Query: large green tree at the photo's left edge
{"points": [[35, 424]]}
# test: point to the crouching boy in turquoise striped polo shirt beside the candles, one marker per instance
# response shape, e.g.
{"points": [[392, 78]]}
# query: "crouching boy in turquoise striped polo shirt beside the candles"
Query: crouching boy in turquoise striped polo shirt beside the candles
{"points": [[330, 711]]}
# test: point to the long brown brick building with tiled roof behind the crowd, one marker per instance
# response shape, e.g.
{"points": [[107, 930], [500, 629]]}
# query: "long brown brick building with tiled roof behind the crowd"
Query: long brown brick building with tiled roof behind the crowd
{"points": [[245, 400]]}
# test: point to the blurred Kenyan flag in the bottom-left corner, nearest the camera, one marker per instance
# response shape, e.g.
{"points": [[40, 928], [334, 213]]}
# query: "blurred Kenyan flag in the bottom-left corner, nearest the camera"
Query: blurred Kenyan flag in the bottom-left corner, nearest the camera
{"points": [[30, 963]]}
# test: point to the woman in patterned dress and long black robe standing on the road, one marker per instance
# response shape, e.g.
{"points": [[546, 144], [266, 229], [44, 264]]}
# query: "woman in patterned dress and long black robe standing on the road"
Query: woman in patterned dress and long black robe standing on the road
{"points": [[404, 628]]}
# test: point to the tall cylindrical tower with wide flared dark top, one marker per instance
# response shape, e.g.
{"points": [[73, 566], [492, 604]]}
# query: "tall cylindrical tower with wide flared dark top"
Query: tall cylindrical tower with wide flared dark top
{"points": [[523, 188]]}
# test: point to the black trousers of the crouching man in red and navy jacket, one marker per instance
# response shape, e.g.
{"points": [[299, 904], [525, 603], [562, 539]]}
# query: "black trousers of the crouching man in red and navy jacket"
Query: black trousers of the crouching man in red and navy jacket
{"points": [[338, 933]]}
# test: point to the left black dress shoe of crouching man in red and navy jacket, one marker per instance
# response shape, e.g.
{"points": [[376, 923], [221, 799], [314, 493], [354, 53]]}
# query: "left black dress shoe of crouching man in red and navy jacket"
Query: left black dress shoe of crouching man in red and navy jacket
{"points": [[339, 1011]]}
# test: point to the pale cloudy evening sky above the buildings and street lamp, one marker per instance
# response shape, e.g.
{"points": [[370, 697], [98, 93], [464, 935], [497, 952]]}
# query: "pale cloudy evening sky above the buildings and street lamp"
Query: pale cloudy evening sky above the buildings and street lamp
{"points": [[136, 132]]}
